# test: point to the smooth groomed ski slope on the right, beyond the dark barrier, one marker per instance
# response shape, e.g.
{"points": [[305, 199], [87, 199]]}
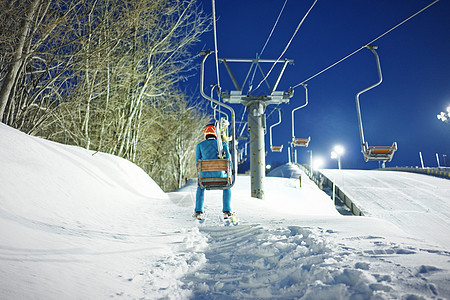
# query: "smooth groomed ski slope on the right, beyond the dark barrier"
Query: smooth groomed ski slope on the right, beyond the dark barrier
{"points": [[418, 204]]}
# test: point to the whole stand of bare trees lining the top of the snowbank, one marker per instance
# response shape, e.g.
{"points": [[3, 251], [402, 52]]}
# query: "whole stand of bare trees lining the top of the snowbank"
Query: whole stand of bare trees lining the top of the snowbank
{"points": [[102, 74]]}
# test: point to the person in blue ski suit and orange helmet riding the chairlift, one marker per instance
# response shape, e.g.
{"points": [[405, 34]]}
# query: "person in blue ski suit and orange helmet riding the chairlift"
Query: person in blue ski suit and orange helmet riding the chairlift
{"points": [[208, 149]]}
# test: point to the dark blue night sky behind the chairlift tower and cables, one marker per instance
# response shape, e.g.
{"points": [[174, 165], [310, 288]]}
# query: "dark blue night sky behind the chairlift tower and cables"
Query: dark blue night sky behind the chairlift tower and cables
{"points": [[414, 59]]}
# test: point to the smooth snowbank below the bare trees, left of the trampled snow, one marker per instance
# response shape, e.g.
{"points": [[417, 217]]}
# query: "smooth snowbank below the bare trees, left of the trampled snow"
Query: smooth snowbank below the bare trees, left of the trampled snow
{"points": [[77, 224]]}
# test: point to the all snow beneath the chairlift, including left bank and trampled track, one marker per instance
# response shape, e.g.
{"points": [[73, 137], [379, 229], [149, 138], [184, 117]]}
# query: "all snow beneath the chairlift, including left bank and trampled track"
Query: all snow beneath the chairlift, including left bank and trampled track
{"points": [[81, 226]]}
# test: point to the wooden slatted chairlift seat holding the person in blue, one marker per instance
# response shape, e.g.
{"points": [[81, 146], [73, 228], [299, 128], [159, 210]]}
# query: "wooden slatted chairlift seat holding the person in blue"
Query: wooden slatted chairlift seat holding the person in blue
{"points": [[214, 165]]}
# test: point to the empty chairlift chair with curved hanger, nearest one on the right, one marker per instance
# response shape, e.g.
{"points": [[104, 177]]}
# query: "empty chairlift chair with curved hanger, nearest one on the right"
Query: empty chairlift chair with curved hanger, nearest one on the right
{"points": [[373, 153]]}
